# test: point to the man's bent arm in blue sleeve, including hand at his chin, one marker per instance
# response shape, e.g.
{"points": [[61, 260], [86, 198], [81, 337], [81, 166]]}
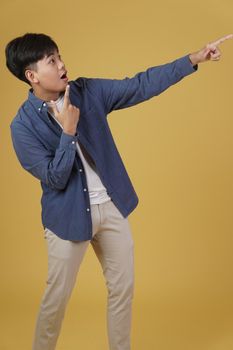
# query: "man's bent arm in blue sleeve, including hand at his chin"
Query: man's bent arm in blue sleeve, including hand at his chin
{"points": [[52, 168]]}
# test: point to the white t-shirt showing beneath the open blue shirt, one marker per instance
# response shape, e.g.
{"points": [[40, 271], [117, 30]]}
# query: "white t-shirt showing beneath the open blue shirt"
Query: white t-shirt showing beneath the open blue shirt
{"points": [[97, 191]]}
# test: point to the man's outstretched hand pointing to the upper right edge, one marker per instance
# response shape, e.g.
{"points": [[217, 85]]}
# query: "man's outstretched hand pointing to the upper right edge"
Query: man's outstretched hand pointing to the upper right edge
{"points": [[210, 52]]}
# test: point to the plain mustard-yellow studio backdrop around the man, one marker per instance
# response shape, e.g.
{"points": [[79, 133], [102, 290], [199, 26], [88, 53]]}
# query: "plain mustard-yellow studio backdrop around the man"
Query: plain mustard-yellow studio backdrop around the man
{"points": [[178, 150]]}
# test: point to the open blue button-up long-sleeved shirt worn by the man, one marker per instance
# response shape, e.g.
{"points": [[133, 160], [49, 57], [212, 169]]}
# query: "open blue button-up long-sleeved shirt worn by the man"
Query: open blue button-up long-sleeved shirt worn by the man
{"points": [[49, 154]]}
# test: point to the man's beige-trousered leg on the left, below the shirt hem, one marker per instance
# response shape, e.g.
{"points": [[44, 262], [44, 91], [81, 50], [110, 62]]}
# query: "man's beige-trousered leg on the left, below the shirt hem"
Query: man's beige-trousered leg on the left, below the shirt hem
{"points": [[64, 259]]}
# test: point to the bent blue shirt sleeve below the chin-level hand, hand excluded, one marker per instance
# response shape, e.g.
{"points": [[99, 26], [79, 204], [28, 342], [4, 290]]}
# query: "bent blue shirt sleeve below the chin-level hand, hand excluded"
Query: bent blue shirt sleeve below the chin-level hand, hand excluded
{"points": [[52, 168]]}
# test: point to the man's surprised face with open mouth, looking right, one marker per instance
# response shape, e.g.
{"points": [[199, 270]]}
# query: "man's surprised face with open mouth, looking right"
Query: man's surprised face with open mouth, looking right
{"points": [[51, 74]]}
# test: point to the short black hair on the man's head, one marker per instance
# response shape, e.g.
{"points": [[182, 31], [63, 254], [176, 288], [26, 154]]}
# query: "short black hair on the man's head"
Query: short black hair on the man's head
{"points": [[23, 52]]}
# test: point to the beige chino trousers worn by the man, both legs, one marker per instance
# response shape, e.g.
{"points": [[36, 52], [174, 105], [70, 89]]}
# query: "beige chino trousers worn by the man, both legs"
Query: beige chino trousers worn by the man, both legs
{"points": [[113, 246]]}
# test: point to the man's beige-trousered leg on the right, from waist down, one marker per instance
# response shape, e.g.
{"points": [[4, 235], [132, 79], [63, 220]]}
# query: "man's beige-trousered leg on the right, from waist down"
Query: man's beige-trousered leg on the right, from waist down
{"points": [[113, 246]]}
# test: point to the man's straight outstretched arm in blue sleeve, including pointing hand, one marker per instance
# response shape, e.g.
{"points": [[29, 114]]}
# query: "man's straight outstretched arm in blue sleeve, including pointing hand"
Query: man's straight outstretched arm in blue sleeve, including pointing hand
{"points": [[122, 93]]}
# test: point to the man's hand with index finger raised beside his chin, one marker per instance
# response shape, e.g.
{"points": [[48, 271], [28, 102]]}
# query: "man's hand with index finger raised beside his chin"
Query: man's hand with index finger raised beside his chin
{"points": [[69, 115]]}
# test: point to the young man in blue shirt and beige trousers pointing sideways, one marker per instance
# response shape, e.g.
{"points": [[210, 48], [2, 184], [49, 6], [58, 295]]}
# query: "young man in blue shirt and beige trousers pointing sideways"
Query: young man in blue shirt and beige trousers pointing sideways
{"points": [[61, 136]]}
